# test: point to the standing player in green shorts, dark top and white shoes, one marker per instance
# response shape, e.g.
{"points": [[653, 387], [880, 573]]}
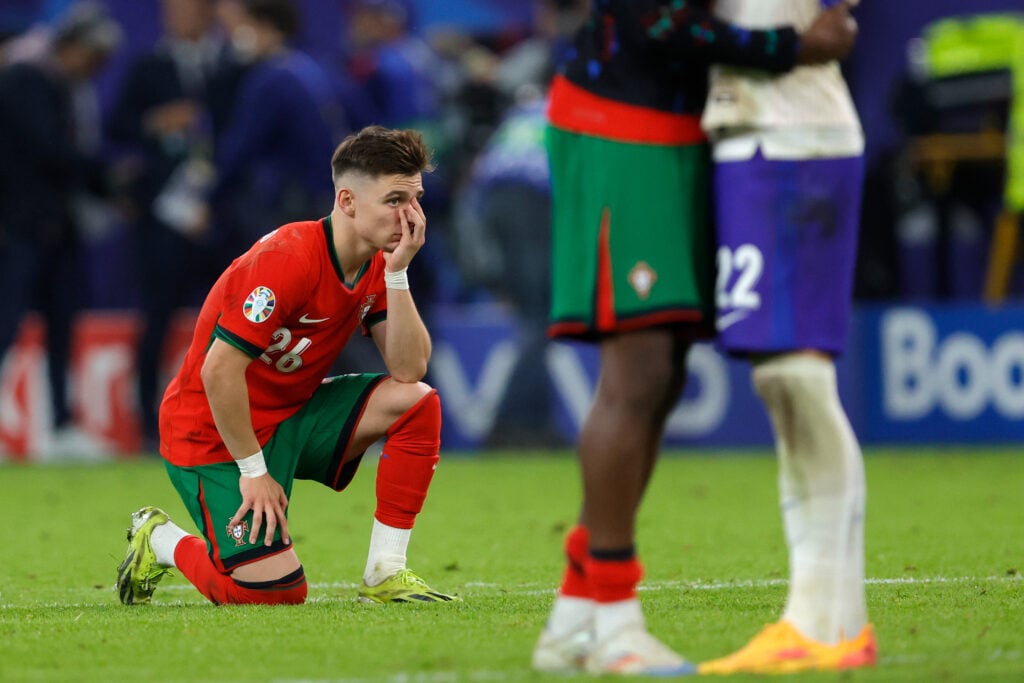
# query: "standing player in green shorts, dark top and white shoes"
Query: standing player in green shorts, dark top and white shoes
{"points": [[633, 271]]}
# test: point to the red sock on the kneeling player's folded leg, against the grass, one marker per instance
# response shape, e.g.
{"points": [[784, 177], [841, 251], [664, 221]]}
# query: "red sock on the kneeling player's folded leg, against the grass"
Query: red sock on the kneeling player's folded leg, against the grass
{"points": [[221, 589]]}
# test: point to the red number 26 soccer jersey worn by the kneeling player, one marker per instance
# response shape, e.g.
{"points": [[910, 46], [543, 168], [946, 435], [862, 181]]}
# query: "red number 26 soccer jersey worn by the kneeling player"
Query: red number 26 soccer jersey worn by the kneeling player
{"points": [[285, 304]]}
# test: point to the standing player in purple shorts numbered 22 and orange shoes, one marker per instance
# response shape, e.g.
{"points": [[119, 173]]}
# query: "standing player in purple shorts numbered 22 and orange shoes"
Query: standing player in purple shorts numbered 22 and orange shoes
{"points": [[794, 147]]}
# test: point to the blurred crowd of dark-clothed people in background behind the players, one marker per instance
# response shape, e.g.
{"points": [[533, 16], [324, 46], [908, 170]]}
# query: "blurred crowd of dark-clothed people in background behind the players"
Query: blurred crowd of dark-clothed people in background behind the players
{"points": [[144, 144]]}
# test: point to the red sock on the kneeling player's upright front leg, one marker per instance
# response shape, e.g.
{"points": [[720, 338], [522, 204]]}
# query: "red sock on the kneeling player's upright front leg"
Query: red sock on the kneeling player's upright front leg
{"points": [[408, 463]]}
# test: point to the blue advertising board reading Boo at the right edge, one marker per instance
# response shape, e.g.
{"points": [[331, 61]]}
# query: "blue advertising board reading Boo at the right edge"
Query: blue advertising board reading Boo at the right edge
{"points": [[952, 374]]}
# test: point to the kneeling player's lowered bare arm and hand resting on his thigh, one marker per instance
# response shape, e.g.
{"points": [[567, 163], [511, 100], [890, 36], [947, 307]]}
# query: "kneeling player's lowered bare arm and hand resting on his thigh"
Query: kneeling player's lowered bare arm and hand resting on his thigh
{"points": [[225, 381]]}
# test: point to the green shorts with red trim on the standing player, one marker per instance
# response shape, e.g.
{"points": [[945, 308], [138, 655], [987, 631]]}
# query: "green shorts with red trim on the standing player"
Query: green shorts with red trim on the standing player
{"points": [[632, 243]]}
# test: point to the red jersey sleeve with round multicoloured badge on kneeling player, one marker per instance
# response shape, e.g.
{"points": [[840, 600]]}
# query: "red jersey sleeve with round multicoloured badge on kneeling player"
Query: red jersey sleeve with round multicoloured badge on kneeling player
{"points": [[261, 296]]}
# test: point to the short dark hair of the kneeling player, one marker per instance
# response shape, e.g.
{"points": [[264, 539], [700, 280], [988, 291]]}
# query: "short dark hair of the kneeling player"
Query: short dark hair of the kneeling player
{"points": [[377, 151]]}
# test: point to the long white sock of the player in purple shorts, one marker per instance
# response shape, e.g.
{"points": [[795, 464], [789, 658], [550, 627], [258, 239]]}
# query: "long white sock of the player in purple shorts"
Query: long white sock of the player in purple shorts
{"points": [[822, 488]]}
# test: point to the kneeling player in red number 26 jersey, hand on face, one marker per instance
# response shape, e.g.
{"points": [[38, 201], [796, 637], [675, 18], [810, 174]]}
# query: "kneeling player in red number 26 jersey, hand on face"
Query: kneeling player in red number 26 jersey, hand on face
{"points": [[250, 410]]}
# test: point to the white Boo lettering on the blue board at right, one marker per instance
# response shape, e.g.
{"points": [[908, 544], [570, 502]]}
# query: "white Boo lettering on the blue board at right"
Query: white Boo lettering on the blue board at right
{"points": [[960, 373]]}
